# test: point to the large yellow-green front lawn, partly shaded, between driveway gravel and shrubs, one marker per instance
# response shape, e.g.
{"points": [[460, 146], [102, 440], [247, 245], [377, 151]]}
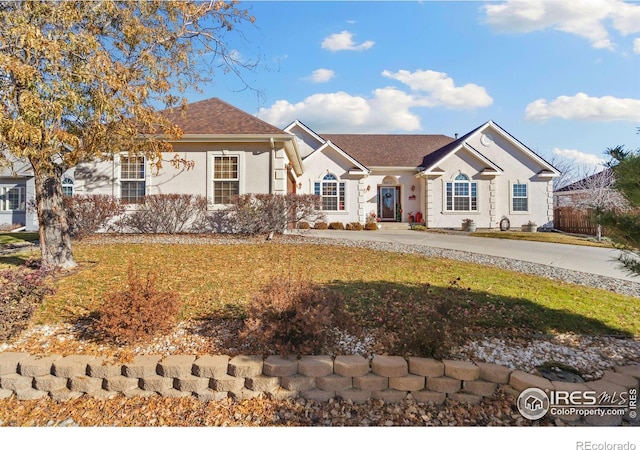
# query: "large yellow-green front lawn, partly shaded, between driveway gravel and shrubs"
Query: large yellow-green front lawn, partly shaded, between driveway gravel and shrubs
{"points": [[380, 288]]}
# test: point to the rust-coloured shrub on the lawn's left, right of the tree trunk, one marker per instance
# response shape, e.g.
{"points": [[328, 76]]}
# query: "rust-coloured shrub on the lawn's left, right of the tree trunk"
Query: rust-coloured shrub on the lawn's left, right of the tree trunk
{"points": [[139, 312]]}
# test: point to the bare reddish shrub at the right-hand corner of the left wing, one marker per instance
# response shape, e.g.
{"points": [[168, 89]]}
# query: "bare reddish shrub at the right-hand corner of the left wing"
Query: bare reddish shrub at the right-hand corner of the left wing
{"points": [[266, 213]]}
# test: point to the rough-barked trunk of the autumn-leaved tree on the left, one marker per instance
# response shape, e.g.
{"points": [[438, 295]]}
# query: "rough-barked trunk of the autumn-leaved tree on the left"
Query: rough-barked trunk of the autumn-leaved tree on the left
{"points": [[55, 241]]}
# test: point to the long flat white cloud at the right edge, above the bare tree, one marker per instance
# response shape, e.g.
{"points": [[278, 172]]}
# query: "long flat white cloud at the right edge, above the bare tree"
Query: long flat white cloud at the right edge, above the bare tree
{"points": [[583, 107]]}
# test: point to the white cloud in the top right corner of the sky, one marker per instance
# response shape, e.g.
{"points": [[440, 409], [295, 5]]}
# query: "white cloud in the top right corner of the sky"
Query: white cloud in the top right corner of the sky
{"points": [[587, 19]]}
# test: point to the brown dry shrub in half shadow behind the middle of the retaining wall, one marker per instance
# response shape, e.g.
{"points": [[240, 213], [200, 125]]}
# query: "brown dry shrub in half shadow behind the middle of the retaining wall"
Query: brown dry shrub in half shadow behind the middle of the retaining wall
{"points": [[294, 316]]}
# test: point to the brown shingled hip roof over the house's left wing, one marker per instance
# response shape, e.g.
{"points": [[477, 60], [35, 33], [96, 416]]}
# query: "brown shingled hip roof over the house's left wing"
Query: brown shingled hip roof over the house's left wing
{"points": [[214, 116]]}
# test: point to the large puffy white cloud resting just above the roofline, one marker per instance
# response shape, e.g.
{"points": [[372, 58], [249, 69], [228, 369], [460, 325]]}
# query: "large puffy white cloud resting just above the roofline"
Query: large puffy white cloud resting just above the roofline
{"points": [[387, 111]]}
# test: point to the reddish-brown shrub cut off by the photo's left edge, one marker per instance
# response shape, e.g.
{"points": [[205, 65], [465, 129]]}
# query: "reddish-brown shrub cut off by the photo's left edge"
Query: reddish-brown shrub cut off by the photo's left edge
{"points": [[21, 291]]}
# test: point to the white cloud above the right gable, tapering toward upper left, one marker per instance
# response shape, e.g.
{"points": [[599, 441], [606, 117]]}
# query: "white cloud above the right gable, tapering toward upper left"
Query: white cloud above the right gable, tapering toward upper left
{"points": [[441, 89]]}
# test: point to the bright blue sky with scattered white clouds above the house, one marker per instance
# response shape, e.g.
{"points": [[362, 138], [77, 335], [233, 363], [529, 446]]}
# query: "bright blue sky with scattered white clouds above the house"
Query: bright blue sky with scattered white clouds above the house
{"points": [[563, 77]]}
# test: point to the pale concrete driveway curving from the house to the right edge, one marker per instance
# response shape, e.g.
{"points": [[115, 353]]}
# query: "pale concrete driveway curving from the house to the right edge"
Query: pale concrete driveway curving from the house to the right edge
{"points": [[596, 260]]}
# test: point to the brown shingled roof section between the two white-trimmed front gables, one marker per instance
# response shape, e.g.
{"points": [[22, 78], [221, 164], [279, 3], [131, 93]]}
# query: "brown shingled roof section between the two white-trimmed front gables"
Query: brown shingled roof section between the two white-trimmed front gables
{"points": [[390, 150]]}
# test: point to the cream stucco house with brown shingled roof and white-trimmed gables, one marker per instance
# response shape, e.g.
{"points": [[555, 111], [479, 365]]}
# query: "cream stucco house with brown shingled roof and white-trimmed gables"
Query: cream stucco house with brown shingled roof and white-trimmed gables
{"points": [[485, 175]]}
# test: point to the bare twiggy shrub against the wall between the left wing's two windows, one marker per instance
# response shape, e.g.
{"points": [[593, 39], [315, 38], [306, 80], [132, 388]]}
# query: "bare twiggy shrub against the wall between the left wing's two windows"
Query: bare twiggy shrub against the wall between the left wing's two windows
{"points": [[167, 213]]}
